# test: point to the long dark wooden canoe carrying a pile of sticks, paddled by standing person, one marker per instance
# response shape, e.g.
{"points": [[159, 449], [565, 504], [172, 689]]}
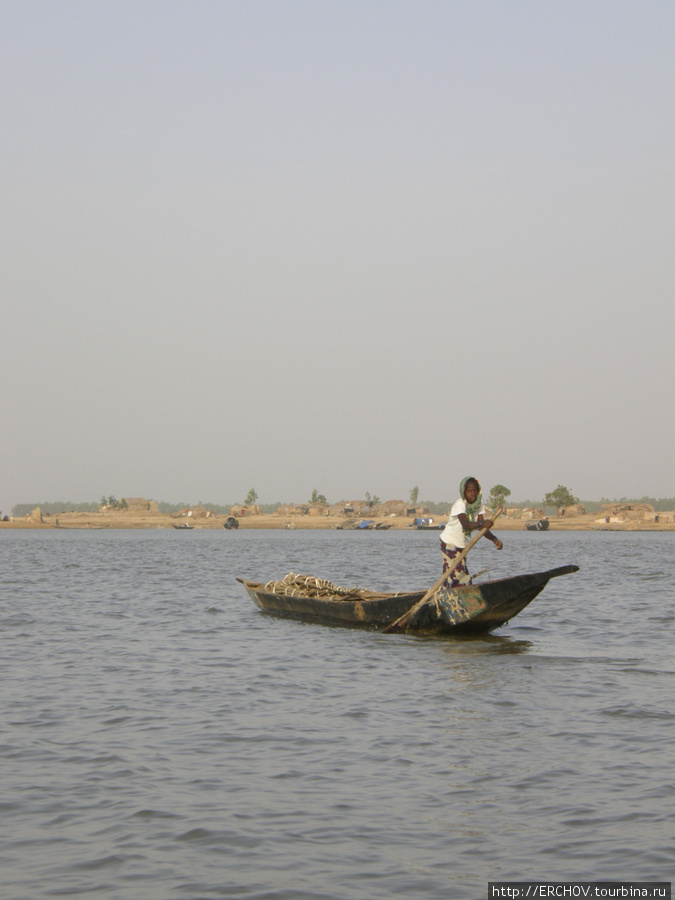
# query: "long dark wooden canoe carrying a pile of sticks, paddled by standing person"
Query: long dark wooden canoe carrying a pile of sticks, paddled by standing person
{"points": [[474, 608]]}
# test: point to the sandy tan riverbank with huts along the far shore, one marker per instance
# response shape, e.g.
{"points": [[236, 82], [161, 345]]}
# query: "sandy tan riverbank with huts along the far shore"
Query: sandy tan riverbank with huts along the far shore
{"points": [[113, 519]]}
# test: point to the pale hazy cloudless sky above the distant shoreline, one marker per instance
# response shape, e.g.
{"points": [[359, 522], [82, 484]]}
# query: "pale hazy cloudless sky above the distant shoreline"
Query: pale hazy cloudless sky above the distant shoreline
{"points": [[351, 245]]}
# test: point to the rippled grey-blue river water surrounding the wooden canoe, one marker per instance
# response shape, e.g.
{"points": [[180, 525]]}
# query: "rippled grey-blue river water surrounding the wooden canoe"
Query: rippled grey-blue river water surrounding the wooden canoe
{"points": [[162, 739]]}
